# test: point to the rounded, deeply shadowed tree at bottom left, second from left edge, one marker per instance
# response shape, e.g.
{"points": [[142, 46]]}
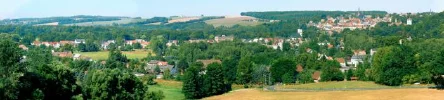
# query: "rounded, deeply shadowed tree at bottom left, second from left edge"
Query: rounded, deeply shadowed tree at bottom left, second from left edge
{"points": [[55, 82]]}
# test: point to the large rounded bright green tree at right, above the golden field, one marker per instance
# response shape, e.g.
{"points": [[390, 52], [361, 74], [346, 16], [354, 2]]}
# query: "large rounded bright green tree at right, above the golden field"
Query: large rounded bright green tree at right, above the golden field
{"points": [[391, 64]]}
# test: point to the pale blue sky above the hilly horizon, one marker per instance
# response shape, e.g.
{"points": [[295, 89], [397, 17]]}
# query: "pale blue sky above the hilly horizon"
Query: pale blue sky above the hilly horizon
{"points": [[152, 8]]}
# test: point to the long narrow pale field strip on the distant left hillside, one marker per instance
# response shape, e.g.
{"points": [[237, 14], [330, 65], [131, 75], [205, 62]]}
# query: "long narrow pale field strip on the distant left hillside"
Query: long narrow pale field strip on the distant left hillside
{"points": [[107, 23]]}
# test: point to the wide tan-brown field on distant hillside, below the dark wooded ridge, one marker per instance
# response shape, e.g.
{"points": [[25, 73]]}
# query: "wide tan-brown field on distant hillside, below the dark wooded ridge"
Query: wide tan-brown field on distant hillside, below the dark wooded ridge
{"points": [[233, 20]]}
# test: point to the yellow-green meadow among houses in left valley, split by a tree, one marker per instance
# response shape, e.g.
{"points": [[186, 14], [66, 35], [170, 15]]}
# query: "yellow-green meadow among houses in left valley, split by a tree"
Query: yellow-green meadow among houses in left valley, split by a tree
{"points": [[103, 55]]}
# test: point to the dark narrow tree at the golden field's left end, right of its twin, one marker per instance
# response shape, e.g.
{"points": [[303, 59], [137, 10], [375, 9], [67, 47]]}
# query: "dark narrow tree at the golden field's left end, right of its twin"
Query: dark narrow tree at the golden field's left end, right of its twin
{"points": [[214, 80]]}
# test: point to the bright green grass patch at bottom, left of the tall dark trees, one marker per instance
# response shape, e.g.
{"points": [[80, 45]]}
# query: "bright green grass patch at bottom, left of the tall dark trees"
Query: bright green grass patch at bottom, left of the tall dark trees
{"points": [[171, 89]]}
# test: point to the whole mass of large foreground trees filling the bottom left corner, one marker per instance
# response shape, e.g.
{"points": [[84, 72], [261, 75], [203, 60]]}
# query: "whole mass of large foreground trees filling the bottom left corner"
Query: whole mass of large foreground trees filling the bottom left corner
{"points": [[42, 76]]}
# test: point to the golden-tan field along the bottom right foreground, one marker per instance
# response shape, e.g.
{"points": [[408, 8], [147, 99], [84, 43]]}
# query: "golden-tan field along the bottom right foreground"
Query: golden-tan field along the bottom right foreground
{"points": [[385, 94]]}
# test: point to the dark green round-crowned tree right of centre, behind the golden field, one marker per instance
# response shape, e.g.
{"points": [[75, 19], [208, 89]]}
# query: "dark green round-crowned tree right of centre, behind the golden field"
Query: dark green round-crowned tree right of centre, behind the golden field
{"points": [[283, 66]]}
